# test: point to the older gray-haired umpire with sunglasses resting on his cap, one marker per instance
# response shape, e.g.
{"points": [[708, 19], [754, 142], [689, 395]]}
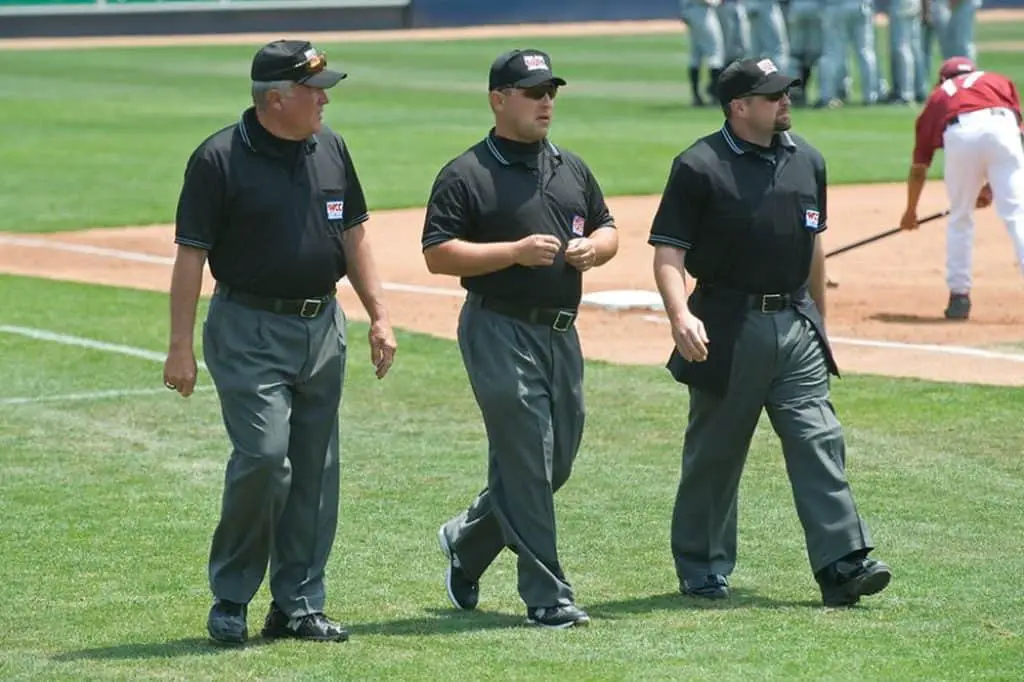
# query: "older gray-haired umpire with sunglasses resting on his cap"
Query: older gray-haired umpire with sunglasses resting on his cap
{"points": [[275, 203]]}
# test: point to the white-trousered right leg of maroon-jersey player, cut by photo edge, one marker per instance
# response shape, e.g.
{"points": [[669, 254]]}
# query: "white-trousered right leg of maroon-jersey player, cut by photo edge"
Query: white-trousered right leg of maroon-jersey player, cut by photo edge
{"points": [[1006, 177]]}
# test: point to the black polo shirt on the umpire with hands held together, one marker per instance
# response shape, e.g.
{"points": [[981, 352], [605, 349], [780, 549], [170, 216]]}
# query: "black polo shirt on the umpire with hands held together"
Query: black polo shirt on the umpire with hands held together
{"points": [[502, 191]]}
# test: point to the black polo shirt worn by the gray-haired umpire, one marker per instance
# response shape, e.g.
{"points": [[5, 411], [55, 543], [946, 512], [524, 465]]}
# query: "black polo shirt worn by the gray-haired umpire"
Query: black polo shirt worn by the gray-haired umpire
{"points": [[271, 212]]}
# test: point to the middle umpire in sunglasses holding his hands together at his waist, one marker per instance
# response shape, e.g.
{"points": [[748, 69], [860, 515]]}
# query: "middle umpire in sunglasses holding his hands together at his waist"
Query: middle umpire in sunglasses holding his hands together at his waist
{"points": [[520, 221]]}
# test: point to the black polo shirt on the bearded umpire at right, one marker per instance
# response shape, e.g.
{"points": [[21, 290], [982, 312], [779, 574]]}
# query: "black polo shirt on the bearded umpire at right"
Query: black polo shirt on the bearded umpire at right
{"points": [[748, 217]]}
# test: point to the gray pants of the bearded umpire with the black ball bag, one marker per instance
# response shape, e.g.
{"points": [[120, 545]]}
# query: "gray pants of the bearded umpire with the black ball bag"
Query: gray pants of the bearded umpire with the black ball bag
{"points": [[780, 366]]}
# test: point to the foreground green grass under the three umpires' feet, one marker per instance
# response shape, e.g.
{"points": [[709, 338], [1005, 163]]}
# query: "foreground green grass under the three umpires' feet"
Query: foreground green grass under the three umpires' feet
{"points": [[108, 505]]}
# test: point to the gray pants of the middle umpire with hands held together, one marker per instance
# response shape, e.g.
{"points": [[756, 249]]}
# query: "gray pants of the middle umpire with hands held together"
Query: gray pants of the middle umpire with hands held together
{"points": [[528, 380]]}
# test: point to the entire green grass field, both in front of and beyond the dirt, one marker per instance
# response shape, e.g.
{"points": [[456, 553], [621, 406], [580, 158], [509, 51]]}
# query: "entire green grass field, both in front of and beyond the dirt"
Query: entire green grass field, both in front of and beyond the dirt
{"points": [[110, 485]]}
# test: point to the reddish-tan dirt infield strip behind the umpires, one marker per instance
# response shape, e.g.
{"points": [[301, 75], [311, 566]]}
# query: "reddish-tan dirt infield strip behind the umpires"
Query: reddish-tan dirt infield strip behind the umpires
{"points": [[886, 316]]}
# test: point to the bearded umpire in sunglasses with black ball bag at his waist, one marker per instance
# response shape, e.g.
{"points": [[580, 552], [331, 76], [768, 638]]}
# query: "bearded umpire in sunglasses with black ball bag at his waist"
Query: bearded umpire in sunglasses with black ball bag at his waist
{"points": [[742, 214]]}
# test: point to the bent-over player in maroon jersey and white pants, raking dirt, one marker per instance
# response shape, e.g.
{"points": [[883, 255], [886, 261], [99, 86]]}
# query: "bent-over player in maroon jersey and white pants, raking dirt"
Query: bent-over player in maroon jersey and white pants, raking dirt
{"points": [[976, 116]]}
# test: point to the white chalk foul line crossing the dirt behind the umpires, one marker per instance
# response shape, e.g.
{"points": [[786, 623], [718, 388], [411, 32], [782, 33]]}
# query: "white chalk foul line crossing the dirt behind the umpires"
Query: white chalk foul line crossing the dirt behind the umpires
{"points": [[458, 293]]}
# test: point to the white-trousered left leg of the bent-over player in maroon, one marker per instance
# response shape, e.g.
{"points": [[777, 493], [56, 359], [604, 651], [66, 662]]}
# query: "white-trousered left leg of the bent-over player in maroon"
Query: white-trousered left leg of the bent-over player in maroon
{"points": [[965, 176]]}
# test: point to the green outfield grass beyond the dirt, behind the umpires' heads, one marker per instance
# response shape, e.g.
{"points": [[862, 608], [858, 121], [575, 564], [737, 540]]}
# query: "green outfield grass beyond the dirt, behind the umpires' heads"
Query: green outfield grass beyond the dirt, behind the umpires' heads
{"points": [[100, 138]]}
